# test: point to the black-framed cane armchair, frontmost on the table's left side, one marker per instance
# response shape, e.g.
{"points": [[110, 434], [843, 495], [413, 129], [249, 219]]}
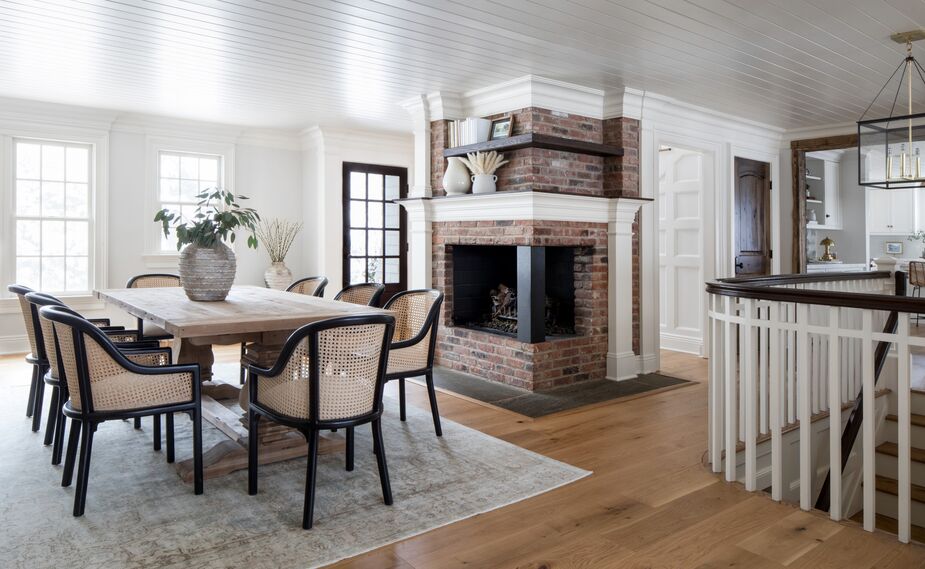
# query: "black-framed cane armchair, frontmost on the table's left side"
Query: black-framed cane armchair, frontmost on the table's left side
{"points": [[104, 385]]}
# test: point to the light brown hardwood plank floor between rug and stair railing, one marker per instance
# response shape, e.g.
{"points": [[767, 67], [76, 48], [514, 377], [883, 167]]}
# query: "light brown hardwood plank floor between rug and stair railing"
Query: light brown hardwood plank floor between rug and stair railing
{"points": [[649, 504]]}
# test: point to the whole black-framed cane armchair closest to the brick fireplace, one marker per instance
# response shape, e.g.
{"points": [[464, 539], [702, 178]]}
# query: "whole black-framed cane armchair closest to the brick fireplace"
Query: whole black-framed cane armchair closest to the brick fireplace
{"points": [[417, 313]]}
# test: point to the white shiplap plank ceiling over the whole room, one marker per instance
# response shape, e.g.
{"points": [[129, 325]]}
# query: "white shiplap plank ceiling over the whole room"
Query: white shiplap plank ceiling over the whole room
{"points": [[288, 64]]}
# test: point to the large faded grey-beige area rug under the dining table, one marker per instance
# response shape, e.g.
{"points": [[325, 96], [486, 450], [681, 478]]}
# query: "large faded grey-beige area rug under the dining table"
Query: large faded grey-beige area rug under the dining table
{"points": [[139, 514]]}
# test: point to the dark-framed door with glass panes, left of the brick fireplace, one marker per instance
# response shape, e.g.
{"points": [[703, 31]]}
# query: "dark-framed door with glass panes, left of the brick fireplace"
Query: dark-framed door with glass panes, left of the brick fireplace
{"points": [[374, 234]]}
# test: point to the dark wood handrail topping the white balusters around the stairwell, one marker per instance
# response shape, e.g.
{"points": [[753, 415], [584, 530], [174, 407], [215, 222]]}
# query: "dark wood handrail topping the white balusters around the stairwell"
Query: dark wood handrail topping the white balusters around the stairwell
{"points": [[764, 288]]}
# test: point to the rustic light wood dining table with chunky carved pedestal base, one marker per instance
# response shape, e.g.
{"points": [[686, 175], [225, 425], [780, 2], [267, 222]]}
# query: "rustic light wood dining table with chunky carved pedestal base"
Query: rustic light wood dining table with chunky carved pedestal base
{"points": [[260, 316]]}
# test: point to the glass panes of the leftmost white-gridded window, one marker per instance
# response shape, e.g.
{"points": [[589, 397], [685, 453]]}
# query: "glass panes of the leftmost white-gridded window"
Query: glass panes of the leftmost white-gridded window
{"points": [[53, 189]]}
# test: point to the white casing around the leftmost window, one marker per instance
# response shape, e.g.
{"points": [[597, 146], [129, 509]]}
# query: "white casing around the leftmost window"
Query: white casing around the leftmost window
{"points": [[99, 207]]}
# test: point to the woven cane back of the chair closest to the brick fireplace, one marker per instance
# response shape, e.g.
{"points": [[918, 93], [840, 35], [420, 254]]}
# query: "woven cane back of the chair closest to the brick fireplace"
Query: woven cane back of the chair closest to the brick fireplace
{"points": [[416, 315]]}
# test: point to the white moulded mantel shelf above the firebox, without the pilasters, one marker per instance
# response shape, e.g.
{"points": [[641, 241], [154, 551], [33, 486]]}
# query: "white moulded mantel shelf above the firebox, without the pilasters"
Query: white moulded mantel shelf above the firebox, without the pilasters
{"points": [[525, 205]]}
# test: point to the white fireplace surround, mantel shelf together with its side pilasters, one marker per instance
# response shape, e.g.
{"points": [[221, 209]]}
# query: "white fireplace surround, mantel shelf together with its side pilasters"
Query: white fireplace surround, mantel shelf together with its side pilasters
{"points": [[617, 213]]}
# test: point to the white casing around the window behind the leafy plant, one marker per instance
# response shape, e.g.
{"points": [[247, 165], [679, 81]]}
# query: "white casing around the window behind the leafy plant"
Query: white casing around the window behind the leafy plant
{"points": [[154, 256]]}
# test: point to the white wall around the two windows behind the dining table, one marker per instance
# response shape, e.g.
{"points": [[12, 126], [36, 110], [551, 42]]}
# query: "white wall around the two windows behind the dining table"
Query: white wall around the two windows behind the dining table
{"points": [[267, 169]]}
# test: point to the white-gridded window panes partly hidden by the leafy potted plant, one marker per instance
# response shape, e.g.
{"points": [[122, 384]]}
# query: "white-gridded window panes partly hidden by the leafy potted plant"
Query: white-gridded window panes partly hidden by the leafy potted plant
{"points": [[180, 178]]}
